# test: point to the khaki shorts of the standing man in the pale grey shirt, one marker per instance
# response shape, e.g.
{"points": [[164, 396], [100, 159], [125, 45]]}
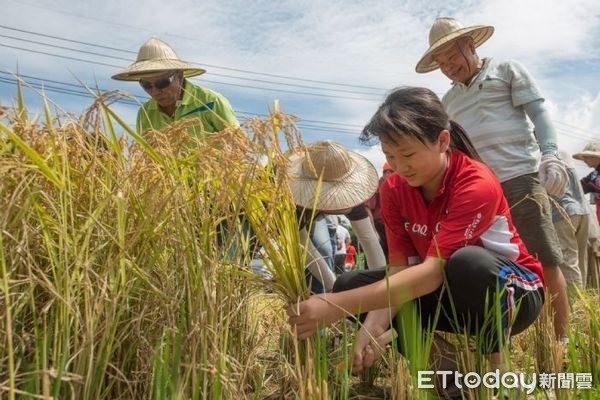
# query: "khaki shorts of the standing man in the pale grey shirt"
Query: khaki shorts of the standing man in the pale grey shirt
{"points": [[531, 215]]}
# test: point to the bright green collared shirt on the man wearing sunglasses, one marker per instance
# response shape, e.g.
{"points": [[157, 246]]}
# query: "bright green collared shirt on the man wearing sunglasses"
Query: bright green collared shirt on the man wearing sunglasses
{"points": [[211, 111]]}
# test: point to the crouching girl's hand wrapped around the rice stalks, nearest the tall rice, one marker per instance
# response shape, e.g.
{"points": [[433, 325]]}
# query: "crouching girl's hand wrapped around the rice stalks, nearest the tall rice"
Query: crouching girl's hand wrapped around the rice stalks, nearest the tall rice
{"points": [[316, 312]]}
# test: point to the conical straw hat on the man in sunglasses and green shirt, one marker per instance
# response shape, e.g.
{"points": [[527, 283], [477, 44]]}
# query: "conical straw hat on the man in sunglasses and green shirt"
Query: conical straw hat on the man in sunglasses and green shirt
{"points": [[155, 57]]}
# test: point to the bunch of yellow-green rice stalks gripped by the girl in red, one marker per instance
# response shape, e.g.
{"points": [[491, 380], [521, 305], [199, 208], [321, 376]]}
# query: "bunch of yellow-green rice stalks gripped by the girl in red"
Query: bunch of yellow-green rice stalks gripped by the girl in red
{"points": [[272, 215]]}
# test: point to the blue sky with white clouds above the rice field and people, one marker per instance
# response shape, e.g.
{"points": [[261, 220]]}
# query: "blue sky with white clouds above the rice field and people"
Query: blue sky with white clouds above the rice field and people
{"points": [[344, 54]]}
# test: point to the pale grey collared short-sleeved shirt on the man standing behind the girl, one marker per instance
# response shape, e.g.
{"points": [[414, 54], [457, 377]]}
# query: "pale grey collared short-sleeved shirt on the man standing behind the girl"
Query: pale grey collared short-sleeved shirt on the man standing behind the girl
{"points": [[490, 109]]}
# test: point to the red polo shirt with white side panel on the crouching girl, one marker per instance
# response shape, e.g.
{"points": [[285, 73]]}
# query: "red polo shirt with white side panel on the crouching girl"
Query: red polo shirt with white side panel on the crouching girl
{"points": [[468, 209]]}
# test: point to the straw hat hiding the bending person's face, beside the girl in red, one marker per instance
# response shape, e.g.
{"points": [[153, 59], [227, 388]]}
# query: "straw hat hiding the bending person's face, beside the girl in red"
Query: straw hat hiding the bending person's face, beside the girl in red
{"points": [[348, 178]]}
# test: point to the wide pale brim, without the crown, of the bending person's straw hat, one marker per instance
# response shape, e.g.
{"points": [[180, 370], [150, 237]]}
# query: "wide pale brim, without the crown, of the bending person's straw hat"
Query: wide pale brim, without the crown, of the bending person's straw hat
{"points": [[353, 189]]}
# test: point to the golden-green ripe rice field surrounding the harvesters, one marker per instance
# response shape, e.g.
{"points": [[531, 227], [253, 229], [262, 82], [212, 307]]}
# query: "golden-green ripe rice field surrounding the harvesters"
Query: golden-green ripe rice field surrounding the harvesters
{"points": [[125, 273]]}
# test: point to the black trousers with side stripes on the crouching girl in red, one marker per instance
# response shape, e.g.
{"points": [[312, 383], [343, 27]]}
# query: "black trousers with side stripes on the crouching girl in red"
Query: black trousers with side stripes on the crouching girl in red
{"points": [[478, 284]]}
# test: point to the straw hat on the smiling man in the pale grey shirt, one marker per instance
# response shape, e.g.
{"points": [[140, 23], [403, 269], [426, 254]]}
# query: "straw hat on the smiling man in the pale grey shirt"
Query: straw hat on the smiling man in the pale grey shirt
{"points": [[446, 30]]}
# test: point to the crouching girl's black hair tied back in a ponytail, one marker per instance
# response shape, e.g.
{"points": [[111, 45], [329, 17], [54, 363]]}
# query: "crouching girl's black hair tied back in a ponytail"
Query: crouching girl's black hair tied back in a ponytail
{"points": [[416, 112]]}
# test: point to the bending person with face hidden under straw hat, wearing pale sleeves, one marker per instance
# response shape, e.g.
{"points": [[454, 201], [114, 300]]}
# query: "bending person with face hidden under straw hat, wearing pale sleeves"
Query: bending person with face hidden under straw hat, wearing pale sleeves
{"points": [[341, 180]]}
